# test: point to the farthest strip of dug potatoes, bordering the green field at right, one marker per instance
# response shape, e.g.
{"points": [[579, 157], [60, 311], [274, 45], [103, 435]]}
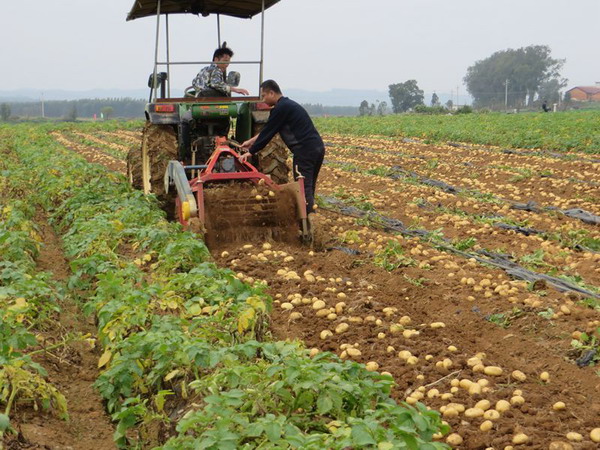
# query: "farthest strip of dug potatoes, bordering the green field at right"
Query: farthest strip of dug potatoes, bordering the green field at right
{"points": [[562, 185]]}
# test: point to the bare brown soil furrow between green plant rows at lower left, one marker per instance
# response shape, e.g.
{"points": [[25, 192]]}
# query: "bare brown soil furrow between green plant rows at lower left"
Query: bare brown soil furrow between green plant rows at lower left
{"points": [[71, 369]]}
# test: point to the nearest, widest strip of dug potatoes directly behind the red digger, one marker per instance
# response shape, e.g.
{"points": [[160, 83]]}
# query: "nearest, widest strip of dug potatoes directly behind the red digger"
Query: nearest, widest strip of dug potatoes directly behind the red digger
{"points": [[422, 325]]}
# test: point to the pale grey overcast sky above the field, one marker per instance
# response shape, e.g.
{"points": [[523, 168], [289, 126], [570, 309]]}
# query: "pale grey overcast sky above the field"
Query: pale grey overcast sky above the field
{"points": [[310, 44]]}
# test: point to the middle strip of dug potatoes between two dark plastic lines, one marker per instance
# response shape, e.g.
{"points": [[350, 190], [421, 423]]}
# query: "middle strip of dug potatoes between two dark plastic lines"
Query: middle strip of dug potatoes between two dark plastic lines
{"points": [[546, 252]]}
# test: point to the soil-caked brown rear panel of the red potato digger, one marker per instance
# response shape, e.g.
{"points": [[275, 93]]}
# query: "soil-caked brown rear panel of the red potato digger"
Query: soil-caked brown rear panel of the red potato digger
{"points": [[238, 212]]}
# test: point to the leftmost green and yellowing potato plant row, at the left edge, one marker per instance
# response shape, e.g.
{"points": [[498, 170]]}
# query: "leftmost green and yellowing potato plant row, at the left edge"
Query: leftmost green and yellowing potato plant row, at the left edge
{"points": [[28, 302]]}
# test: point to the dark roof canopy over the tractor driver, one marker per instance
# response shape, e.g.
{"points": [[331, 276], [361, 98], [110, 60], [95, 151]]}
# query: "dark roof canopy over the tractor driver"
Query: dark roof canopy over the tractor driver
{"points": [[244, 9]]}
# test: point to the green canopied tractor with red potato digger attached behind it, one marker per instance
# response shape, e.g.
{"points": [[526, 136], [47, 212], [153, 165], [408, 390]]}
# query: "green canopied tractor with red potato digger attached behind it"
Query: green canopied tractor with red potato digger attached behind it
{"points": [[188, 156]]}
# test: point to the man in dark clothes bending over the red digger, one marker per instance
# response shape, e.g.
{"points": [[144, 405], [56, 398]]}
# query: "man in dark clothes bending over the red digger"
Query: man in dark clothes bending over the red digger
{"points": [[297, 130]]}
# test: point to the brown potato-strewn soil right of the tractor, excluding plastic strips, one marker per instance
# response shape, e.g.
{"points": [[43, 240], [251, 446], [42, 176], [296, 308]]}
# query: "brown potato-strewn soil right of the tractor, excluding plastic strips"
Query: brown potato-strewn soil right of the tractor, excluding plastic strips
{"points": [[482, 311]]}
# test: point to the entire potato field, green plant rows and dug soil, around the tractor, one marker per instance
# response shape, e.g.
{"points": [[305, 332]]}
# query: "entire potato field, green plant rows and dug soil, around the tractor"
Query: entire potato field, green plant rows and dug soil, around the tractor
{"points": [[456, 282]]}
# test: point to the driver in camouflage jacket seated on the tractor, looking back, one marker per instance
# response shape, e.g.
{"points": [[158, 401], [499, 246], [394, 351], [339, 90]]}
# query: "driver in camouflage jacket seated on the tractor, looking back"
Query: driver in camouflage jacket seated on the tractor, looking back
{"points": [[210, 81]]}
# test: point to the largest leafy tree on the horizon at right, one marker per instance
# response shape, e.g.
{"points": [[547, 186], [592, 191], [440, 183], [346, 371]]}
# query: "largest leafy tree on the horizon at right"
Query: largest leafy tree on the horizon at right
{"points": [[523, 70]]}
